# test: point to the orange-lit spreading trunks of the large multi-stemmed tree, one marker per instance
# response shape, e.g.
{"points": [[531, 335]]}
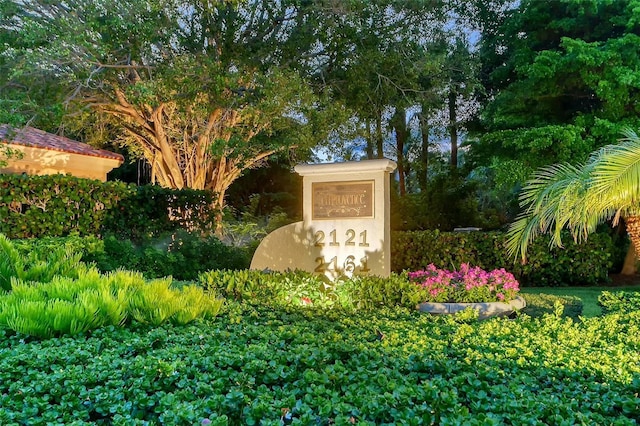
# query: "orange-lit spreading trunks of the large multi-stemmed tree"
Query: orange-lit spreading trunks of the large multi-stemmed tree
{"points": [[184, 159]]}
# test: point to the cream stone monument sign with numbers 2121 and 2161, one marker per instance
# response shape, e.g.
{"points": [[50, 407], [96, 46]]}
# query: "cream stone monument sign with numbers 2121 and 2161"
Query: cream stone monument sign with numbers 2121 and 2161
{"points": [[345, 226]]}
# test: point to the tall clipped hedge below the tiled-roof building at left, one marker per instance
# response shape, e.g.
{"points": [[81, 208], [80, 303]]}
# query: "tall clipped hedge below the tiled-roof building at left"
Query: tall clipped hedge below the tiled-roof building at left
{"points": [[57, 205]]}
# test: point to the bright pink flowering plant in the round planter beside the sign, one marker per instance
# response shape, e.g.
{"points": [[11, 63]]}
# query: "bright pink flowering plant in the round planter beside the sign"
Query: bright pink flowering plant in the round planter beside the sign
{"points": [[466, 285]]}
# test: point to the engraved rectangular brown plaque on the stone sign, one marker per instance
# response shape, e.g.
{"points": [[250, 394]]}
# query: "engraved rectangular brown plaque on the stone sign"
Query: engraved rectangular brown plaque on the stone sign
{"points": [[344, 200]]}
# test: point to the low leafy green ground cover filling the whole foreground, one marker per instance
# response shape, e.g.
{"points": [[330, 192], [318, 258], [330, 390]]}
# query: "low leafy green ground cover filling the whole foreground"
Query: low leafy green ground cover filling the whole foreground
{"points": [[297, 365]]}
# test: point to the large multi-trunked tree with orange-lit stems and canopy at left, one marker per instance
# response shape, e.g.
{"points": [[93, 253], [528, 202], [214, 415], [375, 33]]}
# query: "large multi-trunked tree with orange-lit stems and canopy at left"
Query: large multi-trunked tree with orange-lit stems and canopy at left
{"points": [[169, 79]]}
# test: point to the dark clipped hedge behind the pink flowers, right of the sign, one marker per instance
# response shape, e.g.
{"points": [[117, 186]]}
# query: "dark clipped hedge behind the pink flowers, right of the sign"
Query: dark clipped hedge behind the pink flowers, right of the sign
{"points": [[575, 264]]}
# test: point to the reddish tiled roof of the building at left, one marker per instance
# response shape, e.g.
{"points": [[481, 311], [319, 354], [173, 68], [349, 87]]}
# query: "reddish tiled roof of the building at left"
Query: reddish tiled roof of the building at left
{"points": [[29, 136]]}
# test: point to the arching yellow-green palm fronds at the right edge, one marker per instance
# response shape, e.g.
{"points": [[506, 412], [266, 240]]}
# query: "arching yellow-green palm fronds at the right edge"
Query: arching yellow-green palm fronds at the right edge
{"points": [[562, 196]]}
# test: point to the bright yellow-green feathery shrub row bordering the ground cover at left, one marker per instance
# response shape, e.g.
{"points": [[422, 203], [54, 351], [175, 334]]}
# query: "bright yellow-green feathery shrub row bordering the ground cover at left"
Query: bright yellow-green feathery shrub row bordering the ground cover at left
{"points": [[74, 305]]}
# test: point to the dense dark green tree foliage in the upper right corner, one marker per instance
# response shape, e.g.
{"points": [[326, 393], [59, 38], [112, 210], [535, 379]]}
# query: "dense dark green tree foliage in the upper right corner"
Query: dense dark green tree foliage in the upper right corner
{"points": [[561, 79]]}
